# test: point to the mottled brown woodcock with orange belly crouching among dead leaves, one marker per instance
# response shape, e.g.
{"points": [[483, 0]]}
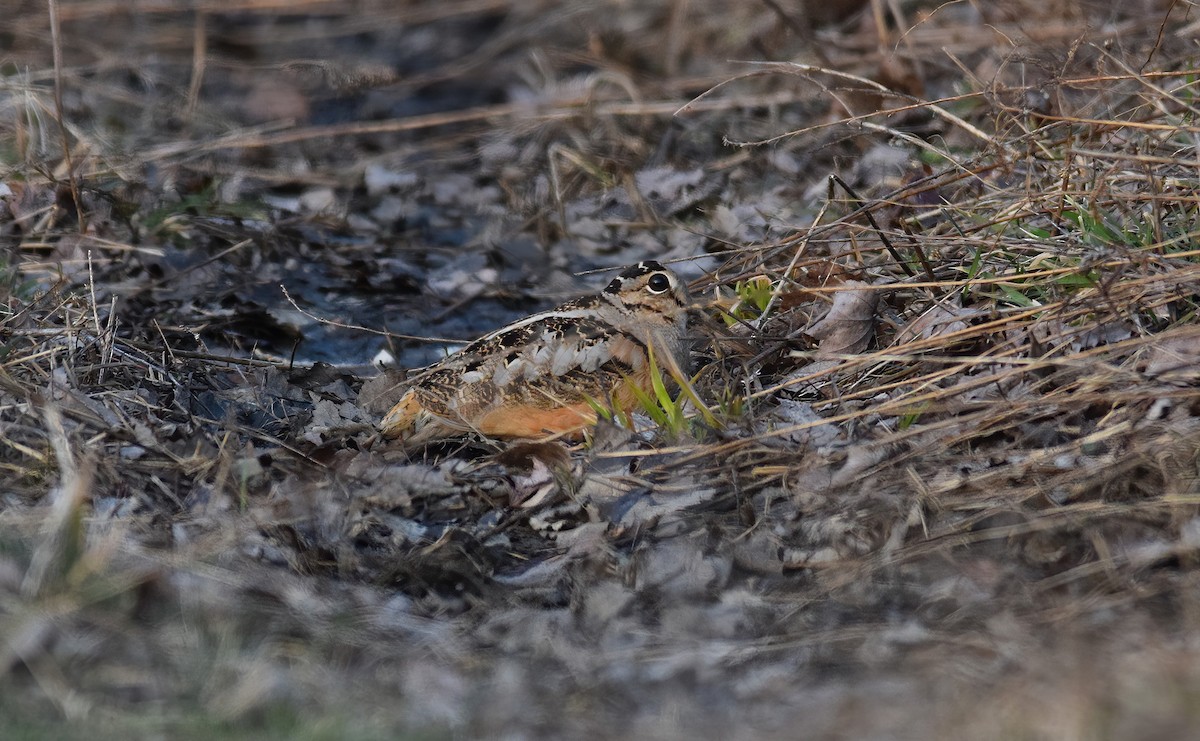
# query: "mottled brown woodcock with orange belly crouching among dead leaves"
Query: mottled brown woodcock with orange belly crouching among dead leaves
{"points": [[544, 377]]}
